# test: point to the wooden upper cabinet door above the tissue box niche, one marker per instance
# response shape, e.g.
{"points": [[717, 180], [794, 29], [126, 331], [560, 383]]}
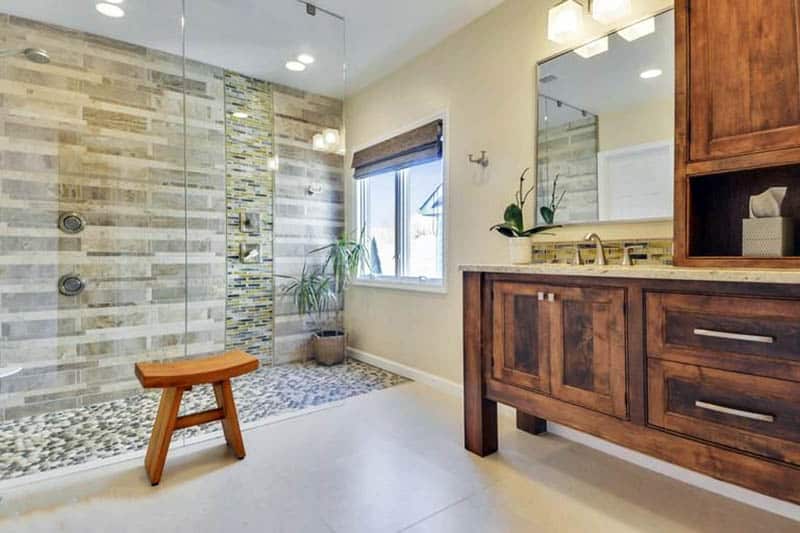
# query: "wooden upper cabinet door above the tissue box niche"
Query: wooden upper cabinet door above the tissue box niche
{"points": [[743, 76]]}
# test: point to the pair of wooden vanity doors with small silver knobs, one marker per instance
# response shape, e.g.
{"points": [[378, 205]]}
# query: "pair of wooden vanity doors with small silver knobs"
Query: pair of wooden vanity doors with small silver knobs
{"points": [[568, 342]]}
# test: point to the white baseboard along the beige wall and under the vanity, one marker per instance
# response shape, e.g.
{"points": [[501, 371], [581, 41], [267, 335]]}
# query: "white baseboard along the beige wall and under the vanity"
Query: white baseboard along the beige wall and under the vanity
{"points": [[728, 490]]}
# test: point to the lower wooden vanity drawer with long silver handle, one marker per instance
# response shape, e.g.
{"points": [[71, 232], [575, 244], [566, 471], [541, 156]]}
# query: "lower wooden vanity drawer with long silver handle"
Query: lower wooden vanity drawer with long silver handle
{"points": [[750, 413]]}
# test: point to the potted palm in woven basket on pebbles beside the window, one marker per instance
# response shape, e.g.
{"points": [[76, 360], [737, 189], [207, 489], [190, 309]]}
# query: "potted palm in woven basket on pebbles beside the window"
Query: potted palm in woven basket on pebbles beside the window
{"points": [[319, 293]]}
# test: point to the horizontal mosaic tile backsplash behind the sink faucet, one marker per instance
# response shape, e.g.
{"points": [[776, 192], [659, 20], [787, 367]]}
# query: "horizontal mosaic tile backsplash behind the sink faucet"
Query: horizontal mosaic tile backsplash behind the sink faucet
{"points": [[650, 252]]}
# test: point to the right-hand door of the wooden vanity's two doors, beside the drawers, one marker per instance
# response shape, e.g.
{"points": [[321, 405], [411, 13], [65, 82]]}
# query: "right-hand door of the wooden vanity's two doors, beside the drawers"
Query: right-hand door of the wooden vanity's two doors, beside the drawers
{"points": [[587, 348]]}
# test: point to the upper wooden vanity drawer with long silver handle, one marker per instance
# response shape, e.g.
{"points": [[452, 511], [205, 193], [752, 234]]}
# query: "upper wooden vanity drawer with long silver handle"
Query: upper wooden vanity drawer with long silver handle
{"points": [[747, 334]]}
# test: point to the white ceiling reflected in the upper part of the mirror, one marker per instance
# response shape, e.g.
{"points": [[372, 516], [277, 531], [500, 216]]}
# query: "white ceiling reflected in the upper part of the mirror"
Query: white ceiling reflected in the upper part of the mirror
{"points": [[609, 82]]}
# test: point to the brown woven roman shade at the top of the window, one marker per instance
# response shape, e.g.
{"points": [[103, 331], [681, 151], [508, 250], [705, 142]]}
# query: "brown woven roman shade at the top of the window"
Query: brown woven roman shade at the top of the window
{"points": [[415, 147]]}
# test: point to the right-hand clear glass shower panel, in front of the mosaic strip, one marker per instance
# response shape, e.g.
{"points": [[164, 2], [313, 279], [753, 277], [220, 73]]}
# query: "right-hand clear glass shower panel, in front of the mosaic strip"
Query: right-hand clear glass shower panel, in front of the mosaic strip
{"points": [[263, 79]]}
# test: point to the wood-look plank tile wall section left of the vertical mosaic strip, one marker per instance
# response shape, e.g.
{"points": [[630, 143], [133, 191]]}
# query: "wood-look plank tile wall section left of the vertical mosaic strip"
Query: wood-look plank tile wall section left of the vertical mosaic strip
{"points": [[99, 131]]}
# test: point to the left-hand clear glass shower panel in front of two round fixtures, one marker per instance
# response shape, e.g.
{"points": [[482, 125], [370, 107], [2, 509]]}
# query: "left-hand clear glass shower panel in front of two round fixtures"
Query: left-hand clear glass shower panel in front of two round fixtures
{"points": [[92, 200]]}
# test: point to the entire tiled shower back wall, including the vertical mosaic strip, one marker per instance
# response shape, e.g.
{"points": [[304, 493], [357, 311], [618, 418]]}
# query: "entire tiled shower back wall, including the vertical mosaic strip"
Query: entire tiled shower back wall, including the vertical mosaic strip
{"points": [[100, 131]]}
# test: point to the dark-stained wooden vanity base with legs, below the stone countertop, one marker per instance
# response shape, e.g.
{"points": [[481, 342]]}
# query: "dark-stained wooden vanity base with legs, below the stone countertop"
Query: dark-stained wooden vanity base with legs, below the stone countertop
{"points": [[705, 375]]}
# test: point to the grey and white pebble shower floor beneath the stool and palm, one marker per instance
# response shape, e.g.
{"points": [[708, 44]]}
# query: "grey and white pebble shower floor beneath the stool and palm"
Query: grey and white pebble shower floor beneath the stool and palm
{"points": [[72, 437]]}
